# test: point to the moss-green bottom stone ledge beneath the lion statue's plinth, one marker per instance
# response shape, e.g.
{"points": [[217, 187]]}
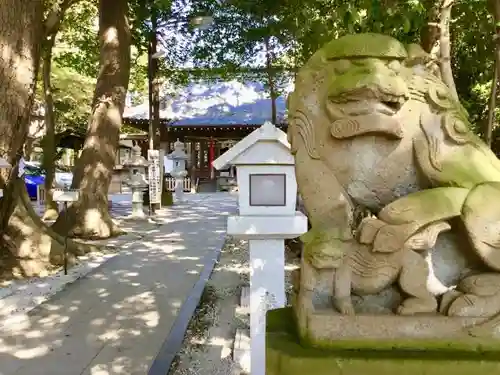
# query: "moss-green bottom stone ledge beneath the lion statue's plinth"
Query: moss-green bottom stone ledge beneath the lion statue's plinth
{"points": [[285, 355]]}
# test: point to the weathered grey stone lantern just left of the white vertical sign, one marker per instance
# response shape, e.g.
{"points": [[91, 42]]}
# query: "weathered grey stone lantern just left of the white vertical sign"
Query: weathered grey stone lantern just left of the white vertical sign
{"points": [[137, 167]]}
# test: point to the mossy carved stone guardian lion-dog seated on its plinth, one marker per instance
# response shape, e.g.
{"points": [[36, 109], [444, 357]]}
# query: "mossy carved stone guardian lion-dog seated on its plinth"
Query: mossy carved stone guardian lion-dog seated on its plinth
{"points": [[372, 126]]}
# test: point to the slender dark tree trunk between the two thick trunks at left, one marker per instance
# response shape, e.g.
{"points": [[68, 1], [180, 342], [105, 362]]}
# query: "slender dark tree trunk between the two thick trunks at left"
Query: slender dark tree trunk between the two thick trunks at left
{"points": [[49, 146]]}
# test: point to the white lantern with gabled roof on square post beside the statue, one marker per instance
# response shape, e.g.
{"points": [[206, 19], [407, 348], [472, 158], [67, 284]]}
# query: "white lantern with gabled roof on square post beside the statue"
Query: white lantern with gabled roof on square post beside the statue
{"points": [[267, 216]]}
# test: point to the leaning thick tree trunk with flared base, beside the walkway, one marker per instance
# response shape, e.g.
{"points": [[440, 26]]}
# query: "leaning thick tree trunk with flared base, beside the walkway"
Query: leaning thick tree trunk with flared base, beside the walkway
{"points": [[89, 217]]}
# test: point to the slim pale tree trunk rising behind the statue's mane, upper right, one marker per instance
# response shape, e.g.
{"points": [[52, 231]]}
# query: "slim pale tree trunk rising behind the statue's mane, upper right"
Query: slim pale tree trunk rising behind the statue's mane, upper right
{"points": [[445, 47]]}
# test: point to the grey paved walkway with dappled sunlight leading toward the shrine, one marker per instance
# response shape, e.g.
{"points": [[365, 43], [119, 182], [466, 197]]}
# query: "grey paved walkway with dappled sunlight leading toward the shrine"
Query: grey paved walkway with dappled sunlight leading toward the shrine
{"points": [[115, 320]]}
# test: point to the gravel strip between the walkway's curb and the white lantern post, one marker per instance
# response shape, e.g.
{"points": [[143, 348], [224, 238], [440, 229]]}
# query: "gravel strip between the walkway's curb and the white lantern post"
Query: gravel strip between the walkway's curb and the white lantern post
{"points": [[208, 343]]}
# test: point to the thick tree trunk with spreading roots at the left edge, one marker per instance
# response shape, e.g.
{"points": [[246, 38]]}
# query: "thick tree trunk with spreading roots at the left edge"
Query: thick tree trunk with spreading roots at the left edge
{"points": [[27, 246]]}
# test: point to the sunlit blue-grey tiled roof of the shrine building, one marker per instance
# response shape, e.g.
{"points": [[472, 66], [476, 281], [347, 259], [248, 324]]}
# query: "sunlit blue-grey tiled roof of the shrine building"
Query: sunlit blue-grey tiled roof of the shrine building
{"points": [[223, 103]]}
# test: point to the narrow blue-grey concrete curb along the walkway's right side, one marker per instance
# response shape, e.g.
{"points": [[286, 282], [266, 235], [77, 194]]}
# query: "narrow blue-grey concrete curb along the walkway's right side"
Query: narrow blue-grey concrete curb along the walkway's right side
{"points": [[175, 338]]}
